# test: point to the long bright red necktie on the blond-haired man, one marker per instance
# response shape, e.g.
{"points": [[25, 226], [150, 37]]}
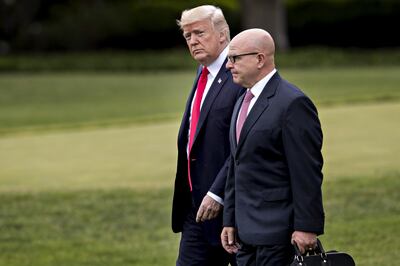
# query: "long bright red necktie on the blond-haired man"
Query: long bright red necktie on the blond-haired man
{"points": [[201, 85]]}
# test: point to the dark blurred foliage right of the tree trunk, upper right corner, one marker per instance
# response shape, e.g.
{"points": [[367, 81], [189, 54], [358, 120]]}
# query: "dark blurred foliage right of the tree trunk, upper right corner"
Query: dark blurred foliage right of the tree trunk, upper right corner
{"points": [[343, 23]]}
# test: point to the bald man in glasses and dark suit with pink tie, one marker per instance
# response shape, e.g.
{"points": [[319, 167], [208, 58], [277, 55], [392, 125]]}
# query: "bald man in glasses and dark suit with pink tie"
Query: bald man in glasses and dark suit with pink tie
{"points": [[273, 192]]}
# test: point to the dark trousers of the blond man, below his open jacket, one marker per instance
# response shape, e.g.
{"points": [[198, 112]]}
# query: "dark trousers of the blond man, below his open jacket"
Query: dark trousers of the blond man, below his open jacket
{"points": [[196, 250]]}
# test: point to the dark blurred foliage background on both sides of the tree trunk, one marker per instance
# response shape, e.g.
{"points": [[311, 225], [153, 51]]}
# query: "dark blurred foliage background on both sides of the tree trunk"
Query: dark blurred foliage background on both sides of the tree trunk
{"points": [[76, 25]]}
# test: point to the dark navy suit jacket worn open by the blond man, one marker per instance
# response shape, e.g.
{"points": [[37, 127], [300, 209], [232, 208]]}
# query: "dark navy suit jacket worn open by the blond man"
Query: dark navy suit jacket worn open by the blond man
{"points": [[209, 152]]}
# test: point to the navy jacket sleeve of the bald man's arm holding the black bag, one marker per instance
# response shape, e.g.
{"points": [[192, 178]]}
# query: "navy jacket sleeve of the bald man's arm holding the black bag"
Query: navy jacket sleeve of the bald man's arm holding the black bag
{"points": [[302, 140]]}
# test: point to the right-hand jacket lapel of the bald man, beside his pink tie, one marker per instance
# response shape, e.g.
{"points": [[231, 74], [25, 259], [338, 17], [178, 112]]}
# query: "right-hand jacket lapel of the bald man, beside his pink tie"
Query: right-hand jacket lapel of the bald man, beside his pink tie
{"points": [[259, 107]]}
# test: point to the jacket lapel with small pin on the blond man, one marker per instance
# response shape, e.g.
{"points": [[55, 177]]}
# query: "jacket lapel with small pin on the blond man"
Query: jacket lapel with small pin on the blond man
{"points": [[212, 94]]}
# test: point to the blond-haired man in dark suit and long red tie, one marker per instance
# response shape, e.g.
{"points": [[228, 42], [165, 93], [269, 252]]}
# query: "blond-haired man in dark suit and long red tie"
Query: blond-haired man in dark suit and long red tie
{"points": [[203, 141]]}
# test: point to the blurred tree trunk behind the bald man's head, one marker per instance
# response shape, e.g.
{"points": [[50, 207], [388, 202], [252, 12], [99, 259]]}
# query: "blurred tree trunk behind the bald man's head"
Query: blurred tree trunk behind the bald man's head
{"points": [[269, 15]]}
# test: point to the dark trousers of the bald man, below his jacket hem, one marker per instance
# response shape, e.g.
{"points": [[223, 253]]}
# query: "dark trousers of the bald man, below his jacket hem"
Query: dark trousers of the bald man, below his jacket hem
{"points": [[274, 255]]}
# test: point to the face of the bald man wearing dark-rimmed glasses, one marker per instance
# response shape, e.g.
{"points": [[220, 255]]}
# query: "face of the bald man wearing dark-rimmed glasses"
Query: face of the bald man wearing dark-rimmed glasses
{"points": [[243, 64]]}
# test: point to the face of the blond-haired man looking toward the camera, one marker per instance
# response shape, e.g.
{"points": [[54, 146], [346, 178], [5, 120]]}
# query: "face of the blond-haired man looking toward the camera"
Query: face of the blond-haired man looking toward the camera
{"points": [[204, 42]]}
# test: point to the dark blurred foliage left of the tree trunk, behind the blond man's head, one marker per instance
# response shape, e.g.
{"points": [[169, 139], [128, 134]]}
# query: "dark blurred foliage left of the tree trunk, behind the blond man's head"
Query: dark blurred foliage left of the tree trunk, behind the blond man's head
{"points": [[43, 25]]}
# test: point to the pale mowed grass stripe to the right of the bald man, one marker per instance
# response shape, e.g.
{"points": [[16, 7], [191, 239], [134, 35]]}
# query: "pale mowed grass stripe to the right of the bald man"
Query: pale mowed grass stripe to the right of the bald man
{"points": [[361, 140]]}
